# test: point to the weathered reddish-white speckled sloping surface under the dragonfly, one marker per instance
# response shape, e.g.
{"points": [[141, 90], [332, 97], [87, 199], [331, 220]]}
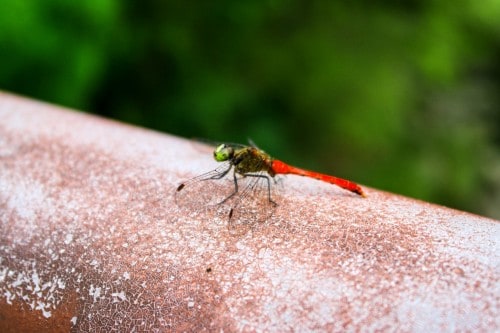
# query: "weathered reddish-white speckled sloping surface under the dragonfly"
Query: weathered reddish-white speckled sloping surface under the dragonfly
{"points": [[91, 240]]}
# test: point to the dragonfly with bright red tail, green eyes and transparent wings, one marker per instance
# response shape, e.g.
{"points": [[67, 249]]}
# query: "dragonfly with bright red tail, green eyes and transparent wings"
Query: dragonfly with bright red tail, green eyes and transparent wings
{"points": [[241, 187]]}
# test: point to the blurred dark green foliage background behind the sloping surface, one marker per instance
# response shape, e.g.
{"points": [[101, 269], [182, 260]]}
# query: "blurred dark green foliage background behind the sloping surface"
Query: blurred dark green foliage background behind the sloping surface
{"points": [[398, 95]]}
